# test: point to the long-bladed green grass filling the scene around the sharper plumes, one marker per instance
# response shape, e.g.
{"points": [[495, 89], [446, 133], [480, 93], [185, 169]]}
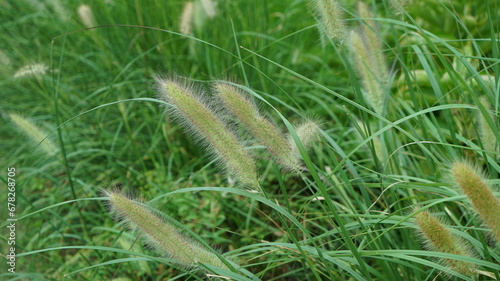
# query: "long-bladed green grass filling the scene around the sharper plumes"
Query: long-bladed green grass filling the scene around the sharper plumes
{"points": [[87, 121]]}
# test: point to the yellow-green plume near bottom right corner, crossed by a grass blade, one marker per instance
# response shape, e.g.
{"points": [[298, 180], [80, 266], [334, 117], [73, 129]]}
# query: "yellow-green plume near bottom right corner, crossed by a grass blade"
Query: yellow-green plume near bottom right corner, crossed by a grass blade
{"points": [[437, 237]]}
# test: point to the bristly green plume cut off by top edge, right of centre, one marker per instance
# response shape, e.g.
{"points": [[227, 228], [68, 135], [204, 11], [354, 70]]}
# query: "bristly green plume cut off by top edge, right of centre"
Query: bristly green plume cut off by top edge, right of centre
{"points": [[330, 17]]}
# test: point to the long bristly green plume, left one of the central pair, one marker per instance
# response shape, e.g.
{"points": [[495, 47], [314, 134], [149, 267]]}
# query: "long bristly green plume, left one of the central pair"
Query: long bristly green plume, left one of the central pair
{"points": [[196, 117]]}
